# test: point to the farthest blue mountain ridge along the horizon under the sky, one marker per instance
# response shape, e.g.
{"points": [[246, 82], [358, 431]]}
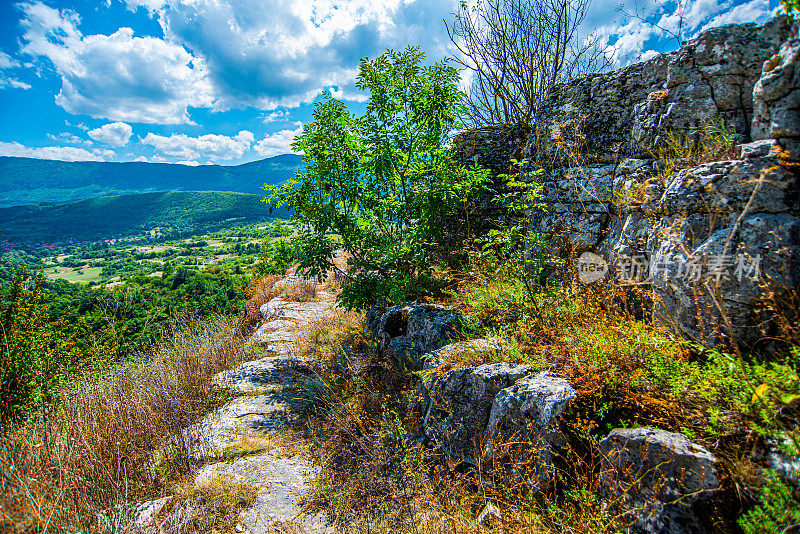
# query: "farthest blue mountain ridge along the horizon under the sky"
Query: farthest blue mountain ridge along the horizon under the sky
{"points": [[25, 181]]}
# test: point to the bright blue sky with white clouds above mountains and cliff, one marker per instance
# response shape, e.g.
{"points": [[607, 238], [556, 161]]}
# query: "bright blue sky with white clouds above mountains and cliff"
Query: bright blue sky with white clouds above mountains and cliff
{"points": [[231, 81]]}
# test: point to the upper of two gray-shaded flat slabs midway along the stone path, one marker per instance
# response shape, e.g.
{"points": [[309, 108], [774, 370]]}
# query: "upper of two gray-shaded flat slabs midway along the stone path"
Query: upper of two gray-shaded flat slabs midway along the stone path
{"points": [[261, 374]]}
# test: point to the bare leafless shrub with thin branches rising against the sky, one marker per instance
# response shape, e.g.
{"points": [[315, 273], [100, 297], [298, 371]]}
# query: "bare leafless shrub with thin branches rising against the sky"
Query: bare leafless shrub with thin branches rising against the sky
{"points": [[516, 50]]}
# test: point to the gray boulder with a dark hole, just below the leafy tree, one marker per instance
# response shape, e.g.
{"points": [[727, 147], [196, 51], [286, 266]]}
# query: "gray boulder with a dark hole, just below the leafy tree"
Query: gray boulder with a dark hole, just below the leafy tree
{"points": [[406, 333]]}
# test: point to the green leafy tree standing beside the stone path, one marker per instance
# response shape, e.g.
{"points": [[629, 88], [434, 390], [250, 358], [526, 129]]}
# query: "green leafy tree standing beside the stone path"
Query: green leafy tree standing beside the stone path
{"points": [[381, 182]]}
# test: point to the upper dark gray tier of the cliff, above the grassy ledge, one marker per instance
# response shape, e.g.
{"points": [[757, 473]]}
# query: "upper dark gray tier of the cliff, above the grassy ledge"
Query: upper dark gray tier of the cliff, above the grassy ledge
{"points": [[627, 112]]}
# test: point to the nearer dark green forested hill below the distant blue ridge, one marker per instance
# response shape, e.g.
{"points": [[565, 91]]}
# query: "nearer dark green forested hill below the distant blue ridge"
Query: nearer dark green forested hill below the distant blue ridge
{"points": [[117, 216]]}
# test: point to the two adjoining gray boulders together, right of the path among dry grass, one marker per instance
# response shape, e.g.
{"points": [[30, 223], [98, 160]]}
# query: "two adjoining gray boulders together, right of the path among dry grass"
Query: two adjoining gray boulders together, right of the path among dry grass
{"points": [[497, 414]]}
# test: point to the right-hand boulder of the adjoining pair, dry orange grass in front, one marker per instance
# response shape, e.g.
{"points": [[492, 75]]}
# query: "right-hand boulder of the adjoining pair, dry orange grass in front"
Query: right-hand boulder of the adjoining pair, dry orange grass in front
{"points": [[523, 424]]}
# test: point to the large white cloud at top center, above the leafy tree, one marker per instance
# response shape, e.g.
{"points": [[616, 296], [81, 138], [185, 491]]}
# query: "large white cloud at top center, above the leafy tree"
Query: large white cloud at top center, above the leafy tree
{"points": [[281, 53]]}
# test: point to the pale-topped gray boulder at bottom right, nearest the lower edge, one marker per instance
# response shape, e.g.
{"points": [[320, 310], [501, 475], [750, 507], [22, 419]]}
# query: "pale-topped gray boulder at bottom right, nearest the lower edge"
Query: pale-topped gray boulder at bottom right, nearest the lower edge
{"points": [[654, 477]]}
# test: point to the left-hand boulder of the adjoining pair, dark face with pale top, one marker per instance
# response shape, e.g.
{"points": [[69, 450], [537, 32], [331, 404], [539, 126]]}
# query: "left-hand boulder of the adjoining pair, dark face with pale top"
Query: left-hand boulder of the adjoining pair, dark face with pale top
{"points": [[460, 405]]}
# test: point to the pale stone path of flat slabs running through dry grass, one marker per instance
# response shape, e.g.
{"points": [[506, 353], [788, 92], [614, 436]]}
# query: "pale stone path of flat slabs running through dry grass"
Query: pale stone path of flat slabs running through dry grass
{"points": [[267, 403]]}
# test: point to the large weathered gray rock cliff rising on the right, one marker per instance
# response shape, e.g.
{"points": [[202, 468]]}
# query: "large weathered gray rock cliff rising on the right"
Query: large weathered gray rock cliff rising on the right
{"points": [[636, 170]]}
